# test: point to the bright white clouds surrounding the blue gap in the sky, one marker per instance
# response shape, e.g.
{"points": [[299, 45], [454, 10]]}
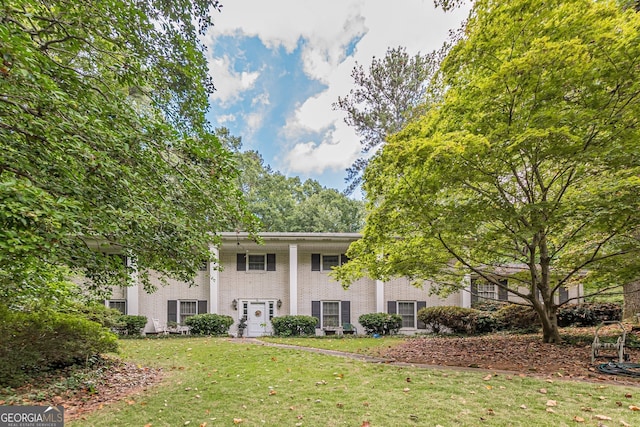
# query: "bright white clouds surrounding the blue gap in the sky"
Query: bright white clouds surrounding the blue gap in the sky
{"points": [[324, 31]]}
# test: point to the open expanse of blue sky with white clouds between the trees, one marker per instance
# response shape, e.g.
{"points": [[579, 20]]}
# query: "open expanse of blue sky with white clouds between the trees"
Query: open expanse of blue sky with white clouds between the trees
{"points": [[279, 65]]}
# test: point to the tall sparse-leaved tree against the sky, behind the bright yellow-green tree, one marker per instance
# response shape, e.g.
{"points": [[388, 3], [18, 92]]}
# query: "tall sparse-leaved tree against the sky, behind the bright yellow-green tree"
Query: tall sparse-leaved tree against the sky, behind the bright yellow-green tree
{"points": [[384, 100]]}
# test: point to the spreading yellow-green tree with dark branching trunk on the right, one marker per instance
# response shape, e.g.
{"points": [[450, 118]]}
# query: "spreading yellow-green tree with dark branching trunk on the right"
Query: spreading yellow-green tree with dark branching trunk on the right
{"points": [[528, 167]]}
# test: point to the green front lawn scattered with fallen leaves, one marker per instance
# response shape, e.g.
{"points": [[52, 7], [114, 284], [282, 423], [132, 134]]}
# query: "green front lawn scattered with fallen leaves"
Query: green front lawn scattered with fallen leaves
{"points": [[213, 381]]}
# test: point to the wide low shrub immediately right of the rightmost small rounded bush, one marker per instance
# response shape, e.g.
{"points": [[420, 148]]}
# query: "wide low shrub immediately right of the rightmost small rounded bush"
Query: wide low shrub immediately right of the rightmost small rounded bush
{"points": [[457, 319]]}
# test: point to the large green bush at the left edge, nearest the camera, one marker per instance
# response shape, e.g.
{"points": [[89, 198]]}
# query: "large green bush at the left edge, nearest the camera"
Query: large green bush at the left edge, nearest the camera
{"points": [[35, 342]]}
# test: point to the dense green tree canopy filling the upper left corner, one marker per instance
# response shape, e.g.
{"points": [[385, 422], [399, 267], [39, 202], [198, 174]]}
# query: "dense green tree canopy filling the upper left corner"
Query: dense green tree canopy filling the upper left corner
{"points": [[103, 140]]}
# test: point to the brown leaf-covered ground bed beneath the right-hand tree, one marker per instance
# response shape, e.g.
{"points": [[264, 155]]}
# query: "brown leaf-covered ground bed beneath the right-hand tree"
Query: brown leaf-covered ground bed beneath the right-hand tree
{"points": [[525, 354]]}
